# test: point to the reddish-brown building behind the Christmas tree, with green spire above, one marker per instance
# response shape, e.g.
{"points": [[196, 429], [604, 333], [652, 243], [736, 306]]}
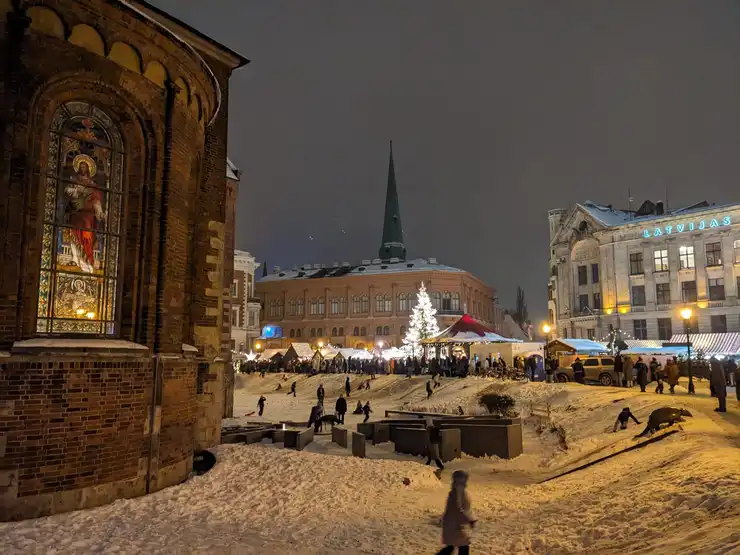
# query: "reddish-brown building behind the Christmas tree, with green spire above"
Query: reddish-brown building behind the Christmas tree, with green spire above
{"points": [[362, 304]]}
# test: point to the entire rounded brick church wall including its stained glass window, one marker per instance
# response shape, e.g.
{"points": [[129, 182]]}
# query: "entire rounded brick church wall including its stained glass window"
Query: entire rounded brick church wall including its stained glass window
{"points": [[113, 255]]}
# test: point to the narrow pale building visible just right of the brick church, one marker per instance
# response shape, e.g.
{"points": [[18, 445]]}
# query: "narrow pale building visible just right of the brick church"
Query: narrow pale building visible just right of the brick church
{"points": [[245, 305]]}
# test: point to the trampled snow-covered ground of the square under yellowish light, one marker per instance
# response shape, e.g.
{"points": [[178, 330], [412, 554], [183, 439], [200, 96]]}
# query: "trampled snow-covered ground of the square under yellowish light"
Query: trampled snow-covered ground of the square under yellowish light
{"points": [[679, 495]]}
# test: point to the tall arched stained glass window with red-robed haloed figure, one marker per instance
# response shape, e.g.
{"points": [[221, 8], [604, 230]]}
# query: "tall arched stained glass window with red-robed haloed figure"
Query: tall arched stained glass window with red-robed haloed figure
{"points": [[78, 286]]}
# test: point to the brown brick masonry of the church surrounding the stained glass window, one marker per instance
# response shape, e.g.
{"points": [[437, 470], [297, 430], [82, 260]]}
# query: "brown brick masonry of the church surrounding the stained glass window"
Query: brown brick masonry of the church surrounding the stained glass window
{"points": [[80, 429]]}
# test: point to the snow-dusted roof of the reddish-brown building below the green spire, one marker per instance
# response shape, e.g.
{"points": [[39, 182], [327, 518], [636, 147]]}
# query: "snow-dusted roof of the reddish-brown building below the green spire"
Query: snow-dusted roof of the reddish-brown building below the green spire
{"points": [[374, 267]]}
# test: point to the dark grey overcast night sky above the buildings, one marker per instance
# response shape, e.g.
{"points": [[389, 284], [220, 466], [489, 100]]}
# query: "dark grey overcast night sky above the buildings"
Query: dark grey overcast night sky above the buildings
{"points": [[498, 111]]}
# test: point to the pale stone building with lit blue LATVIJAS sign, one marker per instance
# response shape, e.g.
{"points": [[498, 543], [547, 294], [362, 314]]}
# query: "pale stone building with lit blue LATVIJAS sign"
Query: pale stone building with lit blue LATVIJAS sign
{"points": [[635, 270]]}
